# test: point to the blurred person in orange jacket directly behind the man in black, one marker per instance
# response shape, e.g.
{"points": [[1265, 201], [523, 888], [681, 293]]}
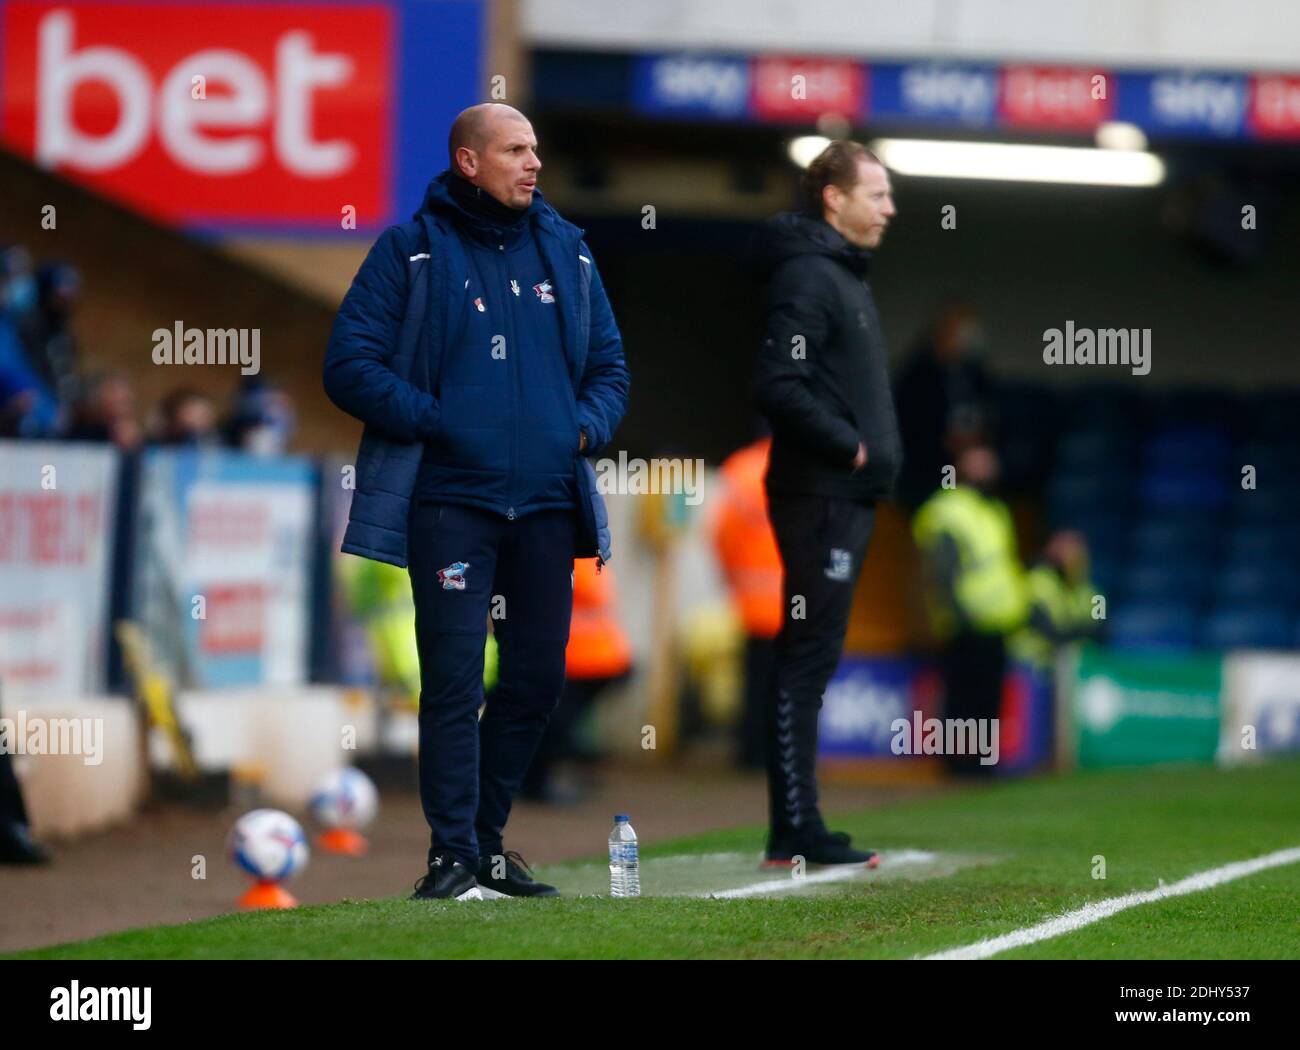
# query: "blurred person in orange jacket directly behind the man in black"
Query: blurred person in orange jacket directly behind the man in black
{"points": [[752, 565]]}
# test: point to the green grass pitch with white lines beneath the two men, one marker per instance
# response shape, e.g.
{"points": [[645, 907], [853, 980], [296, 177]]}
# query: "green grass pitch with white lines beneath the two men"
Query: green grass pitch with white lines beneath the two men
{"points": [[1006, 857]]}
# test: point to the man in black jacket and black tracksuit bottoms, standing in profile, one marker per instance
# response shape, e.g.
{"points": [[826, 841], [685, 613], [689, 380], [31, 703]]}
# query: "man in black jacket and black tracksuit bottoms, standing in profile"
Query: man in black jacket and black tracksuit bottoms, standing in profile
{"points": [[824, 384]]}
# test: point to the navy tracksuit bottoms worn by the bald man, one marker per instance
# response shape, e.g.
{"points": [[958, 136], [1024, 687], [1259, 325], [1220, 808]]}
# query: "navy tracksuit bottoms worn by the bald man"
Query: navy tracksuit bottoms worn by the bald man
{"points": [[469, 565]]}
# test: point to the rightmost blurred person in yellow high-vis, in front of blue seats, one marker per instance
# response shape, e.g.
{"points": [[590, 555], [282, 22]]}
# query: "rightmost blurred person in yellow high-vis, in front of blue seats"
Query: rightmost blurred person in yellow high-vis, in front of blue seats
{"points": [[1061, 602]]}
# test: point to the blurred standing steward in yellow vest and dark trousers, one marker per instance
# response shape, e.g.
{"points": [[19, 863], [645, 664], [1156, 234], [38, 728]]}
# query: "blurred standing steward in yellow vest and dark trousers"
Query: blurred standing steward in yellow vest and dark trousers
{"points": [[976, 591]]}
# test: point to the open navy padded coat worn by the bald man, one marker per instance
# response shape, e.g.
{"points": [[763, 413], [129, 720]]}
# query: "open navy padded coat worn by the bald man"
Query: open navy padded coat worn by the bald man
{"points": [[384, 366]]}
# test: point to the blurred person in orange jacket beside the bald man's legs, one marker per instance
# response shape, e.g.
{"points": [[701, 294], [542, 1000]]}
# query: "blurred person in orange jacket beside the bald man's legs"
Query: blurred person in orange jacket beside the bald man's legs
{"points": [[599, 654]]}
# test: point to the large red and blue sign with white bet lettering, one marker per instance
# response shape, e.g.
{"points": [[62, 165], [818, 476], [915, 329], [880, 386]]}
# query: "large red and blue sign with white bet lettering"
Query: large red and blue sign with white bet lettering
{"points": [[232, 115]]}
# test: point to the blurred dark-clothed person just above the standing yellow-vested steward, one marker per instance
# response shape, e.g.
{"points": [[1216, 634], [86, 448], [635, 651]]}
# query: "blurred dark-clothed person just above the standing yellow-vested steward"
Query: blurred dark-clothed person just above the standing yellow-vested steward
{"points": [[946, 402]]}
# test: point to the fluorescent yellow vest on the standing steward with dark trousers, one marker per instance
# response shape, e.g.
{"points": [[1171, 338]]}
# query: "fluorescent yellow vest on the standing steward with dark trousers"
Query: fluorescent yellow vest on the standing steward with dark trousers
{"points": [[990, 589]]}
